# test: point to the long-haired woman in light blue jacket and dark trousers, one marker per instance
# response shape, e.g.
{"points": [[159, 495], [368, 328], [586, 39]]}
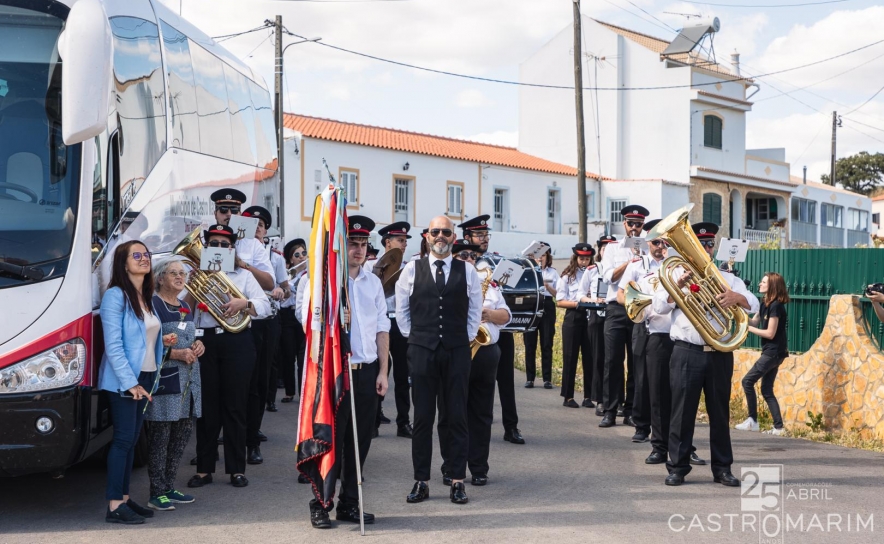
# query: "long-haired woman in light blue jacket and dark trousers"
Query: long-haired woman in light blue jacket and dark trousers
{"points": [[133, 350]]}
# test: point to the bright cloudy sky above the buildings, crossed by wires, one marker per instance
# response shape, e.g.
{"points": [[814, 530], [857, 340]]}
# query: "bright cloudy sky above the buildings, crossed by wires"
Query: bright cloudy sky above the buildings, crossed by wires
{"points": [[489, 38]]}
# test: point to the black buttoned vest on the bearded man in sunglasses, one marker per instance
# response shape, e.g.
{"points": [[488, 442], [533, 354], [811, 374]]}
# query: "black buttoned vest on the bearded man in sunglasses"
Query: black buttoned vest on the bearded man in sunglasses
{"points": [[428, 306]]}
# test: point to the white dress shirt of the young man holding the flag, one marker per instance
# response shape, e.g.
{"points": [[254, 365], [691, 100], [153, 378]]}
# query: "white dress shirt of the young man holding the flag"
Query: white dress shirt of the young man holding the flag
{"points": [[368, 316]]}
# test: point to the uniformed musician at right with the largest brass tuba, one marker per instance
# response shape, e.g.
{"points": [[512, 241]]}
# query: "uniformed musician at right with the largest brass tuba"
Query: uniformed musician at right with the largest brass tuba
{"points": [[696, 366]]}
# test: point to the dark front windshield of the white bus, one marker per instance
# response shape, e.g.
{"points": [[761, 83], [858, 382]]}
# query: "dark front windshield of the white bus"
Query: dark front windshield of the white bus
{"points": [[39, 175]]}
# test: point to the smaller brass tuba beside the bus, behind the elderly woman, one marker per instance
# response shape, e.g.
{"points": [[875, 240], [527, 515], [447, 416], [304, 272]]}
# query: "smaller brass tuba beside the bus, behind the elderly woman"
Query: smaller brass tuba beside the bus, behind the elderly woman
{"points": [[211, 288]]}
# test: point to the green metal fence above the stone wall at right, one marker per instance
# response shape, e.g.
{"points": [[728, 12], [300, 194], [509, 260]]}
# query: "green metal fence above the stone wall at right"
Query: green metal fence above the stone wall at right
{"points": [[813, 276]]}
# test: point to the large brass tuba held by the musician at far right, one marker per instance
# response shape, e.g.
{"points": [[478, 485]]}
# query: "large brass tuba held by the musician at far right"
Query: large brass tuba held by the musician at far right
{"points": [[724, 329]]}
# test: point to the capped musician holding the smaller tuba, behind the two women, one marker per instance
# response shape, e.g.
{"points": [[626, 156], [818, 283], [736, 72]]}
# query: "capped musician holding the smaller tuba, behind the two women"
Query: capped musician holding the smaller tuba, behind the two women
{"points": [[225, 372]]}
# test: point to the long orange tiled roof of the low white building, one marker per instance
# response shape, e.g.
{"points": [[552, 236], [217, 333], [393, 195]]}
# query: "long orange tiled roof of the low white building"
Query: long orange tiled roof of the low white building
{"points": [[425, 144]]}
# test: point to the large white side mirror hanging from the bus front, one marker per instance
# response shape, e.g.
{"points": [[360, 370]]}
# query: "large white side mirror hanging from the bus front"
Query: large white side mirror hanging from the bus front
{"points": [[86, 50]]}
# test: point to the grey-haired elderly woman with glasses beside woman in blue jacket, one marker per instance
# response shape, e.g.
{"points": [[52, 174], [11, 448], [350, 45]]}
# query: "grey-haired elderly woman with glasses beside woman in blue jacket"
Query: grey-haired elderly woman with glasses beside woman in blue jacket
{"points": [[177, 402]]}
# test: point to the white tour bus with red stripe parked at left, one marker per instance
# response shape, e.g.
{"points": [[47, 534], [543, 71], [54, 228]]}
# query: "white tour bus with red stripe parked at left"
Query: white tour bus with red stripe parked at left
{"points": [[118, 119]]}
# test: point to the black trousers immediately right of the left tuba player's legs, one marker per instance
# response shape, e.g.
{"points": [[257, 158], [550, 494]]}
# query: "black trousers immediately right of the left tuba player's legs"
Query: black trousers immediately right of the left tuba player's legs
{"points": [[266, 336]]}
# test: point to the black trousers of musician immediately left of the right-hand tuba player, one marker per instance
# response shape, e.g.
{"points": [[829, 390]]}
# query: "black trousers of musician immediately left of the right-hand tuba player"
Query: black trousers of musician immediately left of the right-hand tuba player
{"points": [[659, 353]]}
